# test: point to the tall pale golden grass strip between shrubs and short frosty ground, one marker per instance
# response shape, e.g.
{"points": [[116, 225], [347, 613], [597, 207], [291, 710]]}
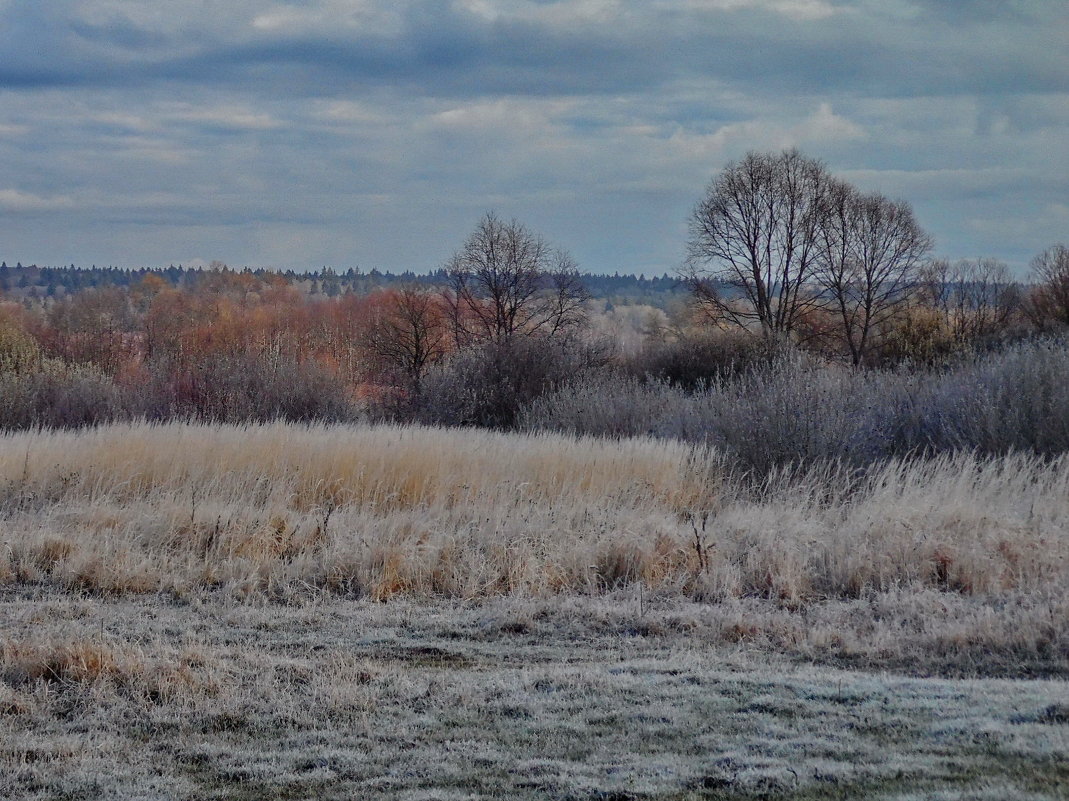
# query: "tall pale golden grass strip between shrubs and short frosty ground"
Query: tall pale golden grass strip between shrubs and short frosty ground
{"points": [[382, 511]]}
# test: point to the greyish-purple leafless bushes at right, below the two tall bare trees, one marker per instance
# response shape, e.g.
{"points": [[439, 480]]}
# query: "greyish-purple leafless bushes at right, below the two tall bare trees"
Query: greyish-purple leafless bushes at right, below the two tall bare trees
{"points": [[799, 410]]}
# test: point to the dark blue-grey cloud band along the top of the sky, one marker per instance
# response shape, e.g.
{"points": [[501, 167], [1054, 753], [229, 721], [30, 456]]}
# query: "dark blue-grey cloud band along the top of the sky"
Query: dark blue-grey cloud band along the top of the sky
{"points": [[458, 49]]}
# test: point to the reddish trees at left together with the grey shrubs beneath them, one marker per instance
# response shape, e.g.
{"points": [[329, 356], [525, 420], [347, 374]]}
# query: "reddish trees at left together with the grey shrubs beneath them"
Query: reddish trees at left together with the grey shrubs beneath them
{"points": [[233, 346]]}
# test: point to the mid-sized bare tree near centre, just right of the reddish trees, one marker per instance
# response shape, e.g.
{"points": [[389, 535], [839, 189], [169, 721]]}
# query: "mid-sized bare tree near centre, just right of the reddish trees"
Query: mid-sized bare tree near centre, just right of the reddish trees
{"points": [[507, 281]]}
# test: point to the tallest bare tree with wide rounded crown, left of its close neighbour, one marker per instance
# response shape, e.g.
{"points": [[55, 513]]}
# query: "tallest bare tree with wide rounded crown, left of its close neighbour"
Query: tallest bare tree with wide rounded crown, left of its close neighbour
{"points": [[754, 242]]}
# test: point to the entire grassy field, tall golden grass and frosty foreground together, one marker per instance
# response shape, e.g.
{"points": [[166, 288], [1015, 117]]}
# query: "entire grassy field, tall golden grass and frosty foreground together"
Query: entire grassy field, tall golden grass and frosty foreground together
{"points": [[288, 611]]}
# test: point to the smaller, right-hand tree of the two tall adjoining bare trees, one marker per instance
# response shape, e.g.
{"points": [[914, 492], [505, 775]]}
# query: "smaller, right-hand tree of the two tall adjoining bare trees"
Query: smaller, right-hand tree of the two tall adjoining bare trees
{"points": [[871, 258]]}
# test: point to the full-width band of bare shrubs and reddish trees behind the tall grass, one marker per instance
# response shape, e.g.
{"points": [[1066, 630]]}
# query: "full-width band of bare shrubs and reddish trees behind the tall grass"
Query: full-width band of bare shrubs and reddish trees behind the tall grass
{"points": [[969, 364]]}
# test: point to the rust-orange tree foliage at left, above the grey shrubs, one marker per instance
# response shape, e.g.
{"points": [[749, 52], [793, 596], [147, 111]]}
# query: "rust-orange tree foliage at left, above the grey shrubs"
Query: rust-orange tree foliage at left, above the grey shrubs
{"points": [[154, 329]]}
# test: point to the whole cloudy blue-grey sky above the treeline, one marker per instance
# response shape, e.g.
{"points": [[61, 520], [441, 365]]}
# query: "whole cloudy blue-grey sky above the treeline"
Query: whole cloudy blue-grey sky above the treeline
{"points": [[377, 133]]}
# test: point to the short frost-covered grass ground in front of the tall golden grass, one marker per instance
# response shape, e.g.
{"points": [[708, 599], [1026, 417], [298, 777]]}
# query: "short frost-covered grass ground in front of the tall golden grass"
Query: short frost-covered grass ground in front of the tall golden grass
{"points": [[207, 698]]}
